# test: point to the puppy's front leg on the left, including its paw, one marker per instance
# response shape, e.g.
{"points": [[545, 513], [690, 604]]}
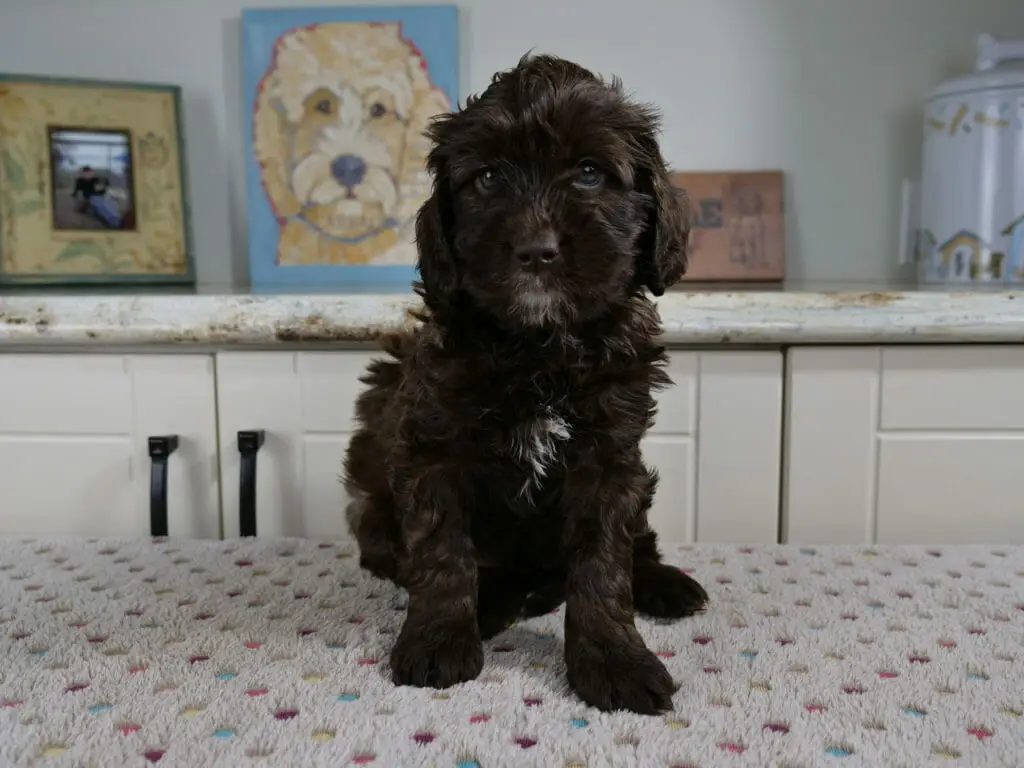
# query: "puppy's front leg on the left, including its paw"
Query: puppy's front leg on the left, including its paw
{"points": [[440, 645]]}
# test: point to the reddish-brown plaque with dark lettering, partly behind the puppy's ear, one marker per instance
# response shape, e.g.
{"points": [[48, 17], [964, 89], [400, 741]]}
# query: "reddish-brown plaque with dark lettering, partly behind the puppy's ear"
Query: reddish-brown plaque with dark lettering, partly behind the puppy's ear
{"points": [[739, 233]]}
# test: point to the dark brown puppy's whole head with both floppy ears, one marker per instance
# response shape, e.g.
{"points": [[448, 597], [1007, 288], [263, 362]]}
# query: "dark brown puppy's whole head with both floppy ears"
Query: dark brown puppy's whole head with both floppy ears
{"points": [[551, 204]]}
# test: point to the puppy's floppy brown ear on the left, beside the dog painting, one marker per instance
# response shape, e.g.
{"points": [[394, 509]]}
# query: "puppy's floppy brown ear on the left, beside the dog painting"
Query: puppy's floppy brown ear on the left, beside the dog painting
{"points": [[435, 233]]}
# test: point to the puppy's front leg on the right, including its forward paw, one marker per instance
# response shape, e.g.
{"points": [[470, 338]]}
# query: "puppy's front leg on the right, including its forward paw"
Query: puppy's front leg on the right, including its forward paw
{"points": [[607, 661]]}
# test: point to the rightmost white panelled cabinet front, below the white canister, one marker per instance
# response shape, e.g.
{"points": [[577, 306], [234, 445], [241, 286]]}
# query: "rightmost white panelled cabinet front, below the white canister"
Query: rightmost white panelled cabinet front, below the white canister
{"points": [[906, 445]]}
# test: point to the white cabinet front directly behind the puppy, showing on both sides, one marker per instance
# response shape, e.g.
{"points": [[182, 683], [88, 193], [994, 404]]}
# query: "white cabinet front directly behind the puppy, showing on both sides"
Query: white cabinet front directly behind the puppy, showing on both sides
{"points": [[716, 442]]}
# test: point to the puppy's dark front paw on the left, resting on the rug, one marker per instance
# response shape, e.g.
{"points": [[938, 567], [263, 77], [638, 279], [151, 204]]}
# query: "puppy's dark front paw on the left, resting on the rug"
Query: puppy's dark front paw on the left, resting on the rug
{"points": [[437, 656]]}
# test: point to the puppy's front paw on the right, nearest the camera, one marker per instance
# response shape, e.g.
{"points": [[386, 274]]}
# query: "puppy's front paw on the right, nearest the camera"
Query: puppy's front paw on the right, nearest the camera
{"points": [[623, 676]]}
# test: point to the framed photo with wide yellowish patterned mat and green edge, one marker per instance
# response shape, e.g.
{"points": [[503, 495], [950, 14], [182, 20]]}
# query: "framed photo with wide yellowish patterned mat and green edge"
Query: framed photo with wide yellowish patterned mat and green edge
{"points": [[93, 184]]}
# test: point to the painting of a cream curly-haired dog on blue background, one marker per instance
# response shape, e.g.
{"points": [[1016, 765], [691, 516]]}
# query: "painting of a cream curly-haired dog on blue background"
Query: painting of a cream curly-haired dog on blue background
{"points": [[337, 103]]}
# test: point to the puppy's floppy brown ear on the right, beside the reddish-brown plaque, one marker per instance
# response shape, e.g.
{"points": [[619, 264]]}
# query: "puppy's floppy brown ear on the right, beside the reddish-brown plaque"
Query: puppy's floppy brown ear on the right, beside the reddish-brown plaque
{"points": [[664, 246]]}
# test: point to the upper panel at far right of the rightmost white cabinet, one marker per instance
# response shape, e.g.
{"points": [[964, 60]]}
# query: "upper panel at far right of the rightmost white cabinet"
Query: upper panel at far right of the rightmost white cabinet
{"points": [[953, 389]]}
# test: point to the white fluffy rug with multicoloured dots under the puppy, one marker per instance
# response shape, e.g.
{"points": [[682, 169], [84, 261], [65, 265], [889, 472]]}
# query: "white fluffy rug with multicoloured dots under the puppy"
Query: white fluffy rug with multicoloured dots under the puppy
{"points": [[275, 653]]}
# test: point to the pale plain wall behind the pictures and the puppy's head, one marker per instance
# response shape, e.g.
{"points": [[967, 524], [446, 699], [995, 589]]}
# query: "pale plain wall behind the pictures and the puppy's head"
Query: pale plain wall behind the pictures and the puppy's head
{"points": [[828, 91]]}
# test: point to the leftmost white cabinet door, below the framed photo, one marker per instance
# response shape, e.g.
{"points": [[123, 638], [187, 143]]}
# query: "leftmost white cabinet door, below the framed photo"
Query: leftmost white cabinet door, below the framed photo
{"points": [[74, 433]]}
